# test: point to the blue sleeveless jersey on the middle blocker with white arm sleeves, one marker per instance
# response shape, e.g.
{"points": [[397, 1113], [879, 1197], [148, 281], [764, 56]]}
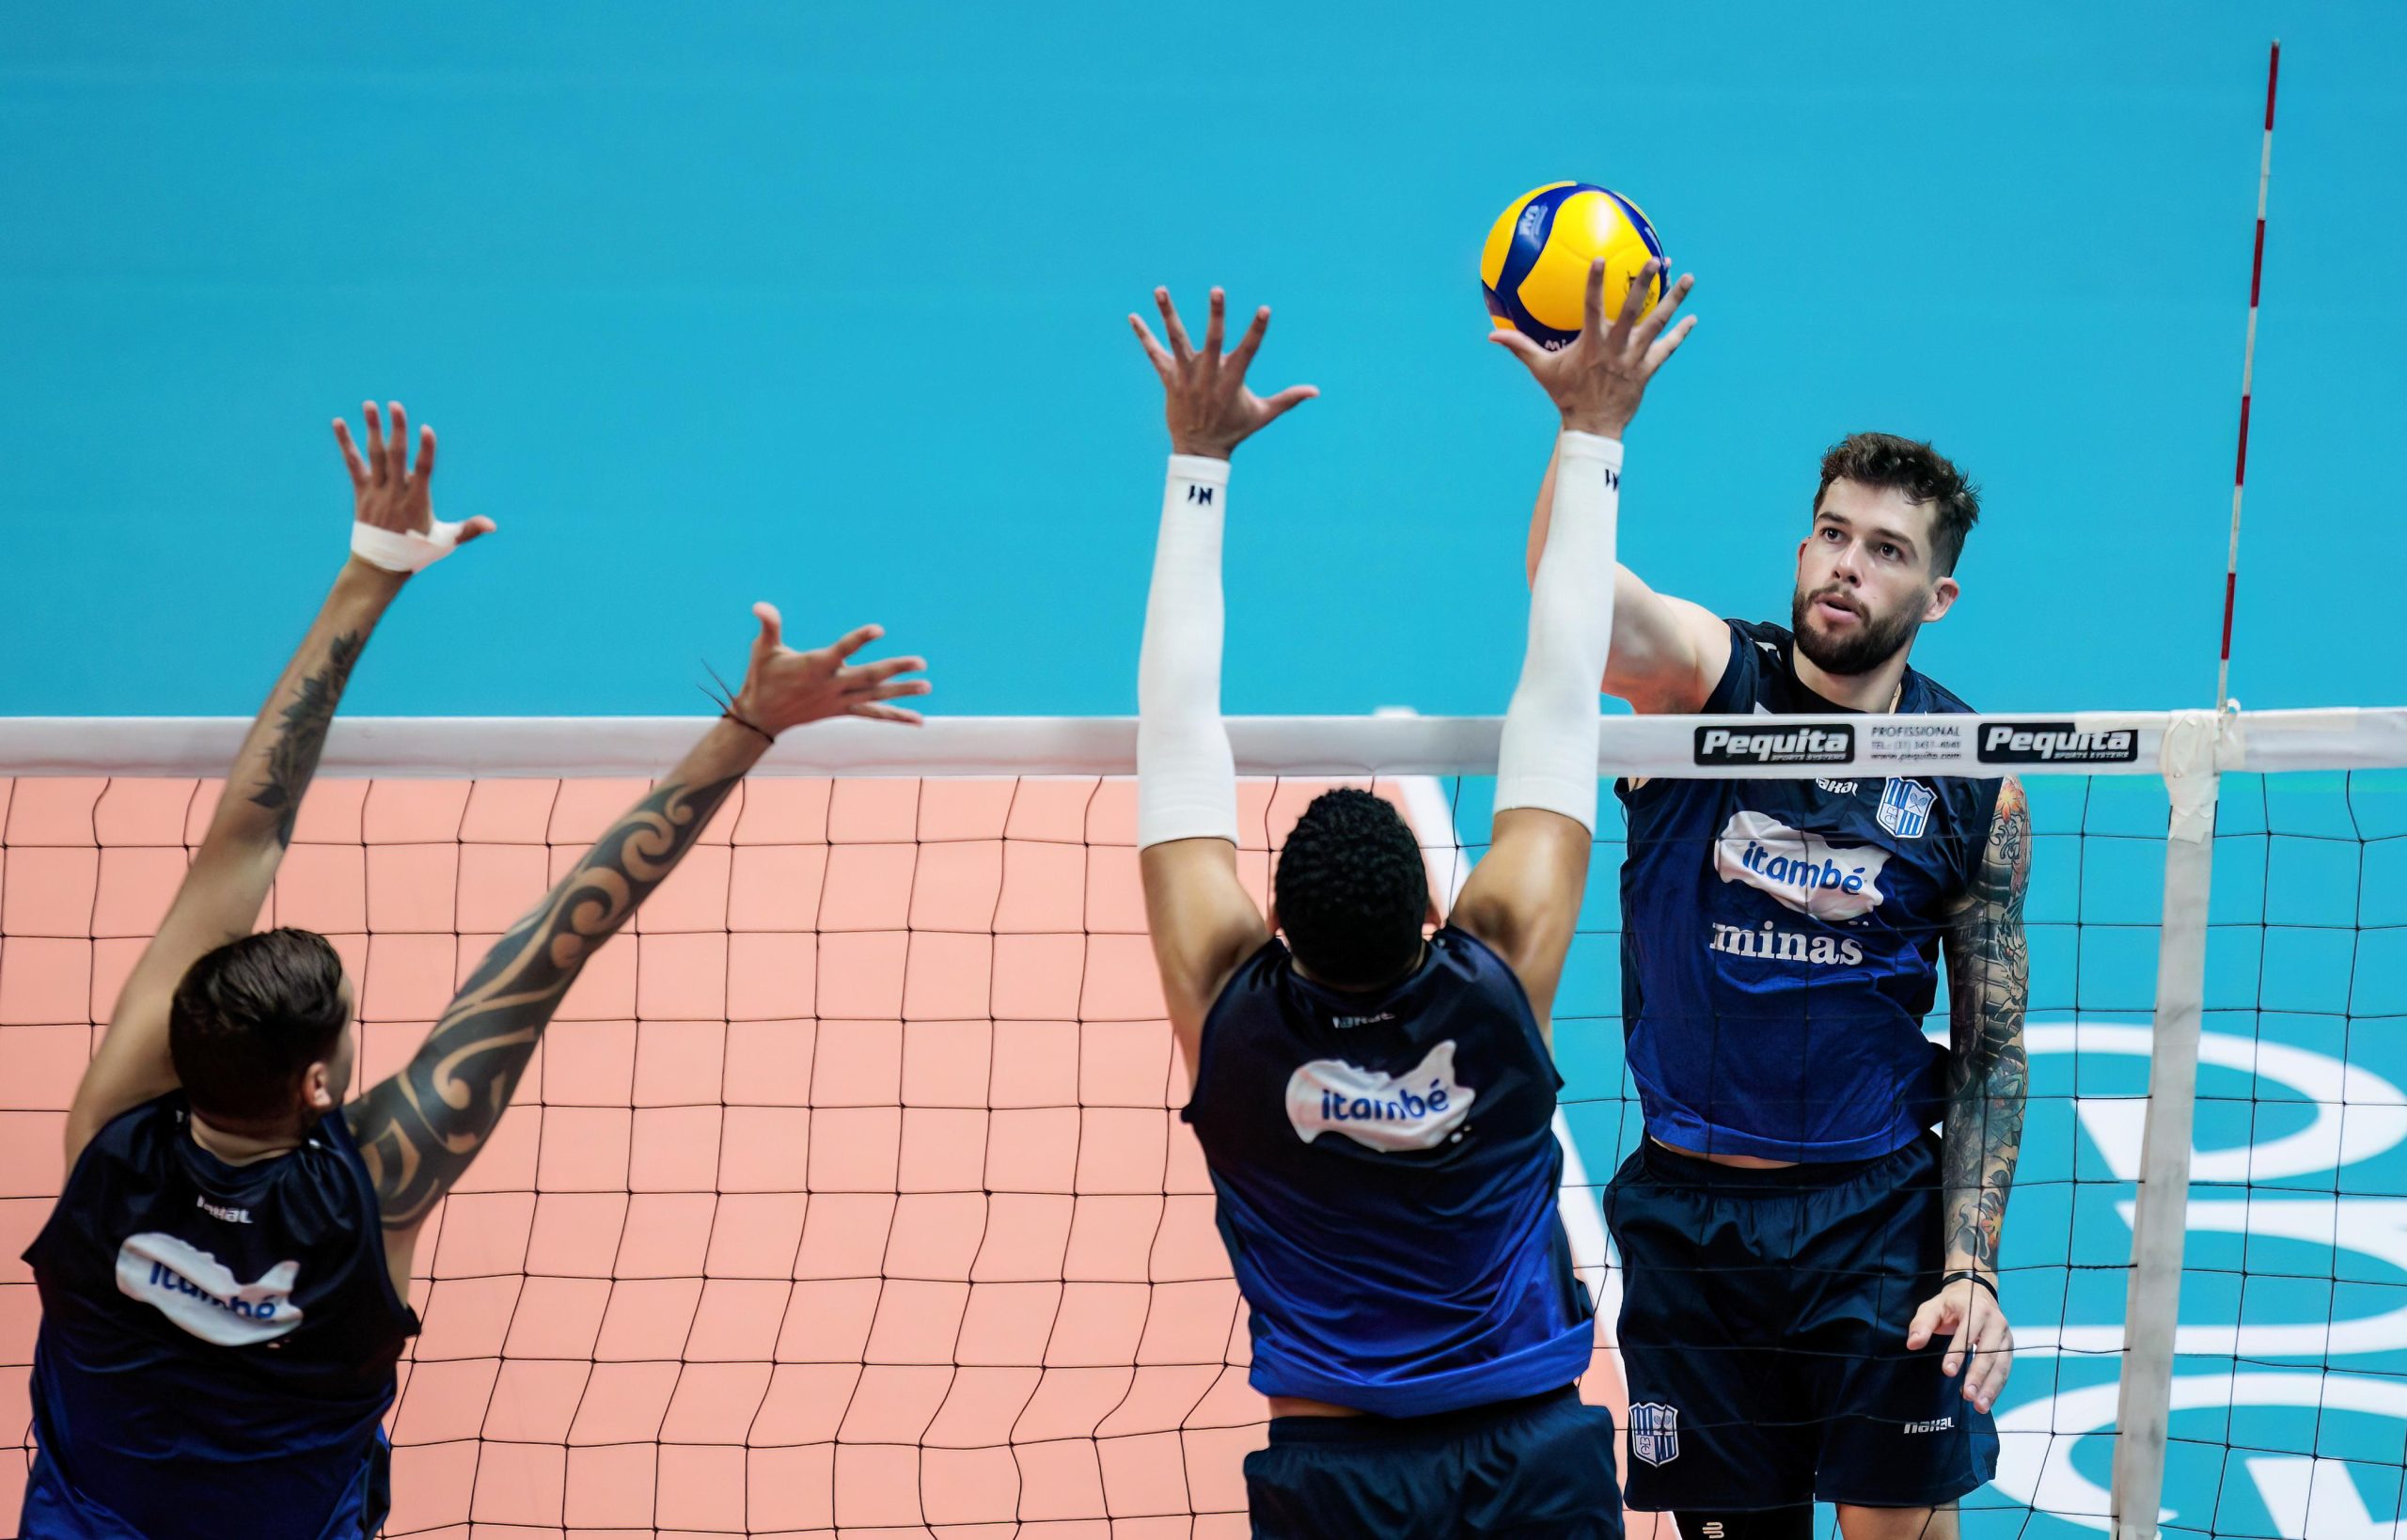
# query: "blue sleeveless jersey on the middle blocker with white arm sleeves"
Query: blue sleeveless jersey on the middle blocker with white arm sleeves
{"points": [[1388, 1178]]}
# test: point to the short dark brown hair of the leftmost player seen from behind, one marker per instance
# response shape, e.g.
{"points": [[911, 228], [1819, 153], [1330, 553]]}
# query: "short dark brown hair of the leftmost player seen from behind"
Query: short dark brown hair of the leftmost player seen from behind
{"points": [[252, 1017]]}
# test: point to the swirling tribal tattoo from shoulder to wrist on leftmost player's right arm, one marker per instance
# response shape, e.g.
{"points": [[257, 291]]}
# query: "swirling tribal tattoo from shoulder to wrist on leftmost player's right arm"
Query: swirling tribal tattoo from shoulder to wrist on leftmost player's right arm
{"points": [[422, 1127]]}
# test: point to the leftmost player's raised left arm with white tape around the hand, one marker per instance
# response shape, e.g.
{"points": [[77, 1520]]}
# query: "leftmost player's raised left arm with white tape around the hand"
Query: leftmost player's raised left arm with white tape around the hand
{"points": [[237, 860]]}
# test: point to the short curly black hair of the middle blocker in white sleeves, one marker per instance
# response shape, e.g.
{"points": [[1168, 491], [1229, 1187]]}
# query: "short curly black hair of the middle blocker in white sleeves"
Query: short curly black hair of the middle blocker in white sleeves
{"points": [[1352, 892]]}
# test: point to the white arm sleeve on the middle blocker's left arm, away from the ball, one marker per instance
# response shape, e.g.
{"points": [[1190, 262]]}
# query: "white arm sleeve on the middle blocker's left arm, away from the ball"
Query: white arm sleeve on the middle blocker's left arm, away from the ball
{"points": [[1185, 771]]}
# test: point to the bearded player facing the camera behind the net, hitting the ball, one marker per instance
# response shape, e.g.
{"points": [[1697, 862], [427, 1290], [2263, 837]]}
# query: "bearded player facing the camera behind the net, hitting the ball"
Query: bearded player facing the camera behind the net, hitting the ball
{"points": [[1794, 1236]]}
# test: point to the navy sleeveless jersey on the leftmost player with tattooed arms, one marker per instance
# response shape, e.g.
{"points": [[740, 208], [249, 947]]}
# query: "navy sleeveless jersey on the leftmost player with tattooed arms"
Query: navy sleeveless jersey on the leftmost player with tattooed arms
{"points": [[218, 1341]]}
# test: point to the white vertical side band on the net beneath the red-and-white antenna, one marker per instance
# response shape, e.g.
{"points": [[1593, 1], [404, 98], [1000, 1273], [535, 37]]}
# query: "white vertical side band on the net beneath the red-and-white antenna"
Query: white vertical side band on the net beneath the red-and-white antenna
{"points": [[2192, 762]]}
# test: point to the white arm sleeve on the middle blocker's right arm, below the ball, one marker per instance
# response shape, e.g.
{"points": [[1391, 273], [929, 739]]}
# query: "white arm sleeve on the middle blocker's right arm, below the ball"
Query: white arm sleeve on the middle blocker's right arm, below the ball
{"points": [[1549, 752]]}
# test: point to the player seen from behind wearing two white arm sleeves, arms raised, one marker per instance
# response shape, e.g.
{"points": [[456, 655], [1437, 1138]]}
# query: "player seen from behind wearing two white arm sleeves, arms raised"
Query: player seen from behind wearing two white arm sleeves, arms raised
{"points": [[1376, 1108]]}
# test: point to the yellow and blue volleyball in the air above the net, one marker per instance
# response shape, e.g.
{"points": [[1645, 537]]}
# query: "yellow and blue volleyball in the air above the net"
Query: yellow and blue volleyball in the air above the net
{"points": [[1537, 261]]}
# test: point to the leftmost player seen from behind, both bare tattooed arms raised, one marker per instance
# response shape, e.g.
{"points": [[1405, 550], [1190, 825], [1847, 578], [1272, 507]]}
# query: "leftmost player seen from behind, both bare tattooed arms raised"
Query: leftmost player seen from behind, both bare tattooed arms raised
{"points": [[225, 1277]]}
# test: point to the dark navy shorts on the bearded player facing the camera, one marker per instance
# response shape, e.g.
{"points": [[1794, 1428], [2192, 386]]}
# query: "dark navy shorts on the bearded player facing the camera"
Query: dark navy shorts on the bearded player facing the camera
{"points": [[1766, 1337]]}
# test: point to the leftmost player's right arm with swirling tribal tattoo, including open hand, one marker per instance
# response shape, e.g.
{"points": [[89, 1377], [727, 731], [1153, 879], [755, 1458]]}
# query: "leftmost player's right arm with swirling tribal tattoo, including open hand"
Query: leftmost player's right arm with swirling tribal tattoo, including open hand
{"points": [[422, 1127]]}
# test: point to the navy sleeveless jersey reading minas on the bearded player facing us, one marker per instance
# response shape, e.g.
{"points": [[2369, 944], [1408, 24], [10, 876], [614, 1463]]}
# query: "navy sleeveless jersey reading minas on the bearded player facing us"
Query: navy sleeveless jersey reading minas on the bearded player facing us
{"points": [[1782, 940]]}
